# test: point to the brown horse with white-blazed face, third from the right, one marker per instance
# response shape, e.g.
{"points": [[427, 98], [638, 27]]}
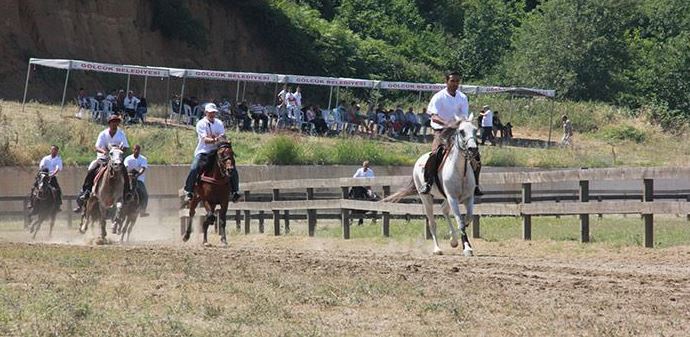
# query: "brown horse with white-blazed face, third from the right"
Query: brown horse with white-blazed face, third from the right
{"points": [[108, 190]]}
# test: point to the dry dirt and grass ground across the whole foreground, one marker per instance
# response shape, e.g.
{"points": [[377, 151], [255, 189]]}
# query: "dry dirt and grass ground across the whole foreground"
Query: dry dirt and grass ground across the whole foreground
{"points": [[299, 286]]}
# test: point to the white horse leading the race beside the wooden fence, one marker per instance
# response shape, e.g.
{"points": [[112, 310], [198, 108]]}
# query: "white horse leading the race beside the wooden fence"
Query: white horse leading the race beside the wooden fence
{"points": [[456, 179]]}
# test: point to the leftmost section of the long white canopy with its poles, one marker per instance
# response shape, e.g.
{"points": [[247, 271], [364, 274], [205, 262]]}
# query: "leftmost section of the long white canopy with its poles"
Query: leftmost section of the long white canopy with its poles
{"points": [[92, 66]]}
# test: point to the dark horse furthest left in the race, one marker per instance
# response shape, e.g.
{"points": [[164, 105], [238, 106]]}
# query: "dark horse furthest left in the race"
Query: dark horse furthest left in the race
{"points": [[44, 203]]}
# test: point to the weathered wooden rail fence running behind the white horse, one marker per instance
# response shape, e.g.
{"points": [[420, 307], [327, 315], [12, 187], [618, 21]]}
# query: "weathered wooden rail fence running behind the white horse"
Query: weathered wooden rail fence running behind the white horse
{"points": [[308, 196]]}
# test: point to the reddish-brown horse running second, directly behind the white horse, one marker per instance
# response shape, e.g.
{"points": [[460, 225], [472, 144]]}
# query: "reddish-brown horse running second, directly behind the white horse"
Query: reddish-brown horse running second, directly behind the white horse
{"points": [[213, 189]]}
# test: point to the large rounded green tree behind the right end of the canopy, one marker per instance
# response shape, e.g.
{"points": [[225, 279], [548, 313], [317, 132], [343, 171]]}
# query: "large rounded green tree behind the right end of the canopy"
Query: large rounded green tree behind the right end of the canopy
{"points": [[577, 47]]}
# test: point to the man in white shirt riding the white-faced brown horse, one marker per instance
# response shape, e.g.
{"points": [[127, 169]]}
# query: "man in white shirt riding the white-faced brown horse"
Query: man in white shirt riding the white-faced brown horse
{"points": [[112, 136]]}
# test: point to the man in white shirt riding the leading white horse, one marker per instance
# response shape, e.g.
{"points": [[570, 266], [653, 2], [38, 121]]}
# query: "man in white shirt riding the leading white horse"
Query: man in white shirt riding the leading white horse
{"points": [[444, 107]]}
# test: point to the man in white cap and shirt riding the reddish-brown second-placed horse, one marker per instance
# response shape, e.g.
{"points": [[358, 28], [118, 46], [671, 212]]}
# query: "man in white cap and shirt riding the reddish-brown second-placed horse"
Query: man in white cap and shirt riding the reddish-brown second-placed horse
{"points": [[210, 132]]}
